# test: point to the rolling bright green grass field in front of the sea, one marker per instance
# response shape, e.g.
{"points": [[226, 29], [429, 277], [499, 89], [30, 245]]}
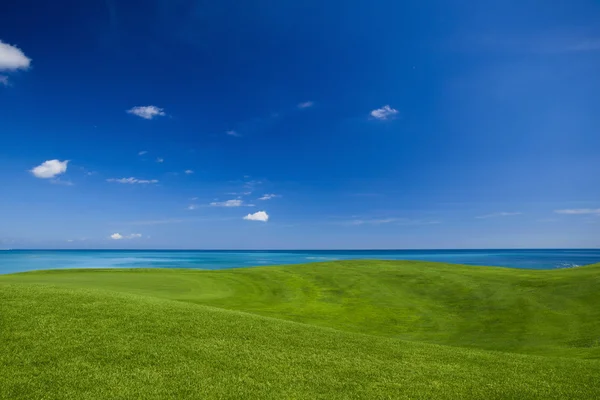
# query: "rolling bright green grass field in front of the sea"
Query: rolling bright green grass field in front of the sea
{"points": [[339, 330]]}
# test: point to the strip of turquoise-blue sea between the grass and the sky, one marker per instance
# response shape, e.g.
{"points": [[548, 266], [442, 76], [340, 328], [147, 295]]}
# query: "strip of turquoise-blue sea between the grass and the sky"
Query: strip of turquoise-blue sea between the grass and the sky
{"points": [[28, 260]]}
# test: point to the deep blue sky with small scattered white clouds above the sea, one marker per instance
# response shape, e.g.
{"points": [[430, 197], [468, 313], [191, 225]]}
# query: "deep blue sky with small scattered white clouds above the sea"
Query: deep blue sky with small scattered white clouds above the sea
{"points": [[299, 124]]}
